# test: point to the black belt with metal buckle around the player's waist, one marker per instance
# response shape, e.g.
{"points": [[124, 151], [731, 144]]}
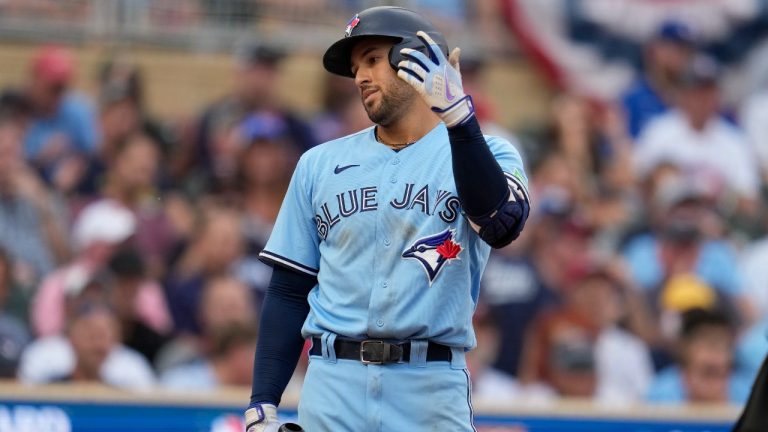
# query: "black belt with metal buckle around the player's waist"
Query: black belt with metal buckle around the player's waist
{"points": [[375, 351]]}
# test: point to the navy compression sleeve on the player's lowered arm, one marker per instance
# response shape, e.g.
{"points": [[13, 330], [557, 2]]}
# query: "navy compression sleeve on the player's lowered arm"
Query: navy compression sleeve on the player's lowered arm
{"points": [[280, 342]]}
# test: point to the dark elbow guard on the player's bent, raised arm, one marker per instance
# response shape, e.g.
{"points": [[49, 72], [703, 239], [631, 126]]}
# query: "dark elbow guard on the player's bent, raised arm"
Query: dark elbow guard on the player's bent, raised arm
{"points": [[505, 224]]}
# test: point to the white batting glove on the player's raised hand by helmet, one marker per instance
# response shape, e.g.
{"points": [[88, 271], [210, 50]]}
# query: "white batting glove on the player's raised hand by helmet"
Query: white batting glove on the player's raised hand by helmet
{"points": [[438, 80]]}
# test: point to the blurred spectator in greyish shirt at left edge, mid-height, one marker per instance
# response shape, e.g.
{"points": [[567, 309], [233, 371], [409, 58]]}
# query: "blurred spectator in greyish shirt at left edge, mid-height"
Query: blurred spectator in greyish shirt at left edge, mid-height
{"points": [[32, 226]]}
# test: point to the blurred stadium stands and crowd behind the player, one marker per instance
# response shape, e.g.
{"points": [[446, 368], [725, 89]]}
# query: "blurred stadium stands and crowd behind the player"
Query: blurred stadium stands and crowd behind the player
{"points": [[145, 146]]}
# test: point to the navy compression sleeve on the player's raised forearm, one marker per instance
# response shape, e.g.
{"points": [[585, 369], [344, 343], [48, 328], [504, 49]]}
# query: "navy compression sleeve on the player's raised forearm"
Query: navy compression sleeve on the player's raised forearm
{"points": [[480, 182]]}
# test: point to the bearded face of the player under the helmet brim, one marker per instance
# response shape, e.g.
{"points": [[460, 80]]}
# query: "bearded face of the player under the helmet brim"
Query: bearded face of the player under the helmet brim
{"points": [[385, 97]]}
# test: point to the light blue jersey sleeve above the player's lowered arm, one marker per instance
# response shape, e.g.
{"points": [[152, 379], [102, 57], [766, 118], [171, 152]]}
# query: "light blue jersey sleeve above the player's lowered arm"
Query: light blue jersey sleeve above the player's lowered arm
{"points": [[294, 242]]}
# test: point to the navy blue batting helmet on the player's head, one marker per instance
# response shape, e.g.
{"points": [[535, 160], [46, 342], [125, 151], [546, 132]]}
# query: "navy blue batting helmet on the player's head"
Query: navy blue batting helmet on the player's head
{"points": [[388, 21]]}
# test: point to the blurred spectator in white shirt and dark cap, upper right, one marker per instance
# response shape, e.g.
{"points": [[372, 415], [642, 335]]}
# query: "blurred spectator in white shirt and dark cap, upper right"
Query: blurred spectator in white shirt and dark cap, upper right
{"points": [[696, 139]]}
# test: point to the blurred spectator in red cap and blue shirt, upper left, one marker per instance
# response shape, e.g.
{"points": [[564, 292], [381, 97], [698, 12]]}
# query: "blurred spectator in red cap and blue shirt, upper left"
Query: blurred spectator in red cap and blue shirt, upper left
{"points": [[63, 126]]}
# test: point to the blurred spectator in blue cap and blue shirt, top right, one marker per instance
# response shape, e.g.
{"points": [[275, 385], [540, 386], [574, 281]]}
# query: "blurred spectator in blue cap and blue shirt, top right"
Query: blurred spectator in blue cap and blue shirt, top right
{"points": [[664, 57]]}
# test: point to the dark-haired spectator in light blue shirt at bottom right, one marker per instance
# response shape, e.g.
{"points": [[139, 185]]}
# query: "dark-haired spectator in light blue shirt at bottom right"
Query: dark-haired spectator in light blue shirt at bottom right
{"points": [[704, 373]]}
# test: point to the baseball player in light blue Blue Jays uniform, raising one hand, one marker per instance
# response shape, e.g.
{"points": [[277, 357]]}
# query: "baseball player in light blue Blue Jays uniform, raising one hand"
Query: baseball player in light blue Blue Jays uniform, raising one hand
{"points": [[381, 241]]}
